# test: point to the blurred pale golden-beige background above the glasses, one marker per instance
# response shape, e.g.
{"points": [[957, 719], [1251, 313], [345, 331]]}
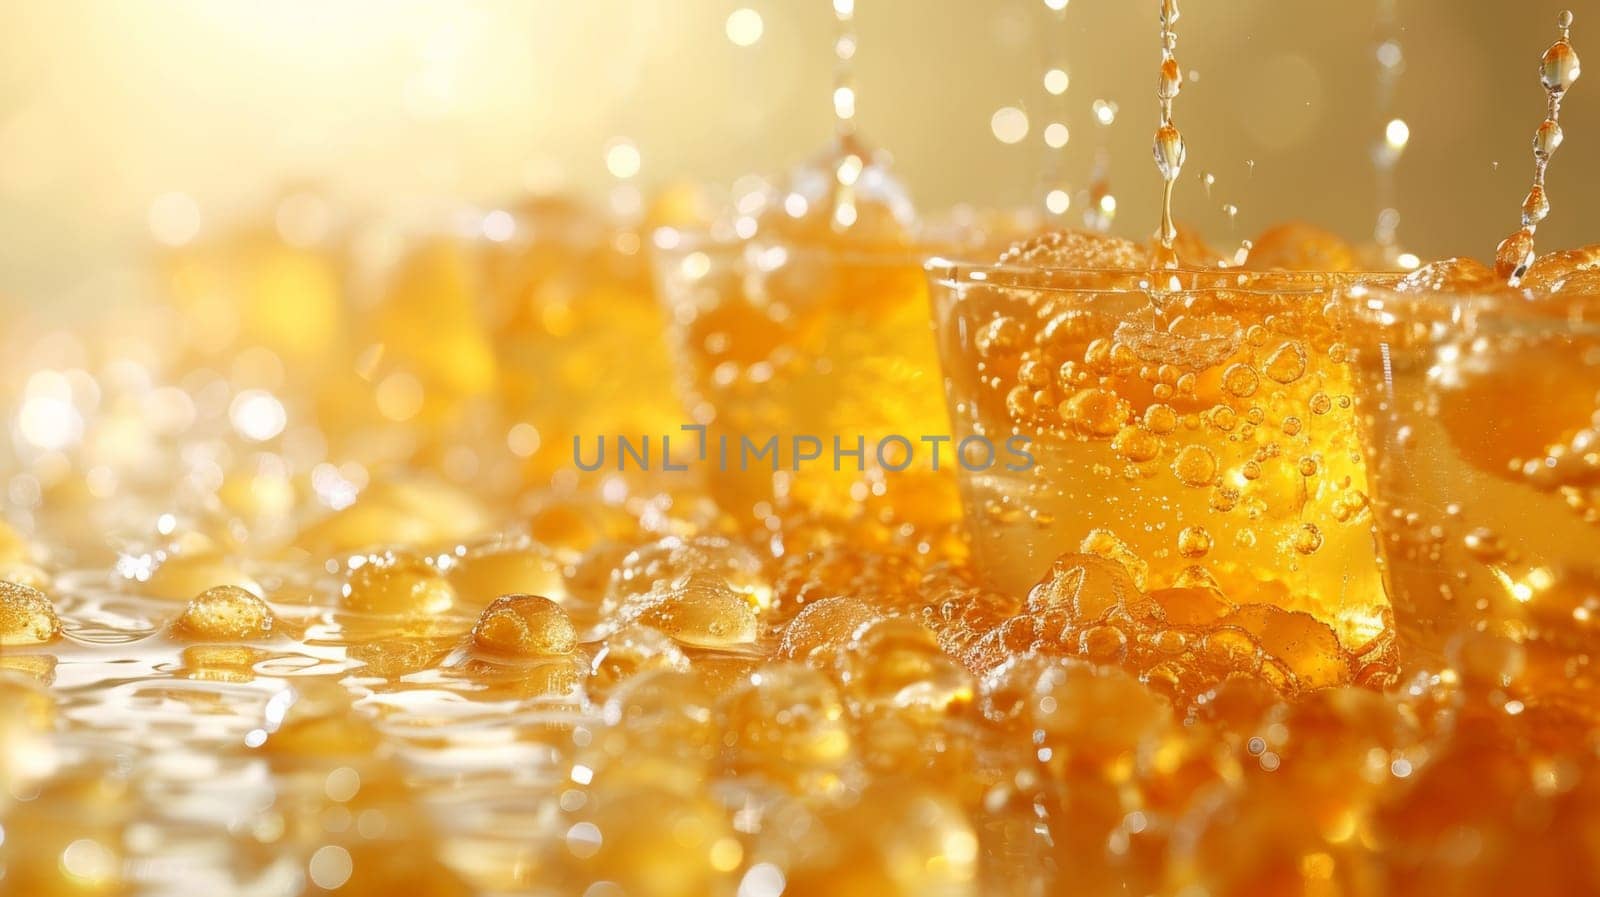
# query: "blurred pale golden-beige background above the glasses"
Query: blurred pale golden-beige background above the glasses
{"points": [[129, 126]]}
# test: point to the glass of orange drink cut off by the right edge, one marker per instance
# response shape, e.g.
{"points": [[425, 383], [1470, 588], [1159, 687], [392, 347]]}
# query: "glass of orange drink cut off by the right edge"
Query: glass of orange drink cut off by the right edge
{"points": [[1482, 425]]}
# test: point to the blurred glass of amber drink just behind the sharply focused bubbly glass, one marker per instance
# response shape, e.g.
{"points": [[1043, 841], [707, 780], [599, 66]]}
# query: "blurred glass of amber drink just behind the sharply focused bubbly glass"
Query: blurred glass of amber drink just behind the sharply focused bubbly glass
{"points": [[823, 348]]}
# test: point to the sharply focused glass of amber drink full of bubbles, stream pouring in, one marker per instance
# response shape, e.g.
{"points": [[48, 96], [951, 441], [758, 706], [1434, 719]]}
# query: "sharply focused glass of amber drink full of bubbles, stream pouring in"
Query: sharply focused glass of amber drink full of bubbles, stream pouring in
{"points": [[1196, 426]]}
